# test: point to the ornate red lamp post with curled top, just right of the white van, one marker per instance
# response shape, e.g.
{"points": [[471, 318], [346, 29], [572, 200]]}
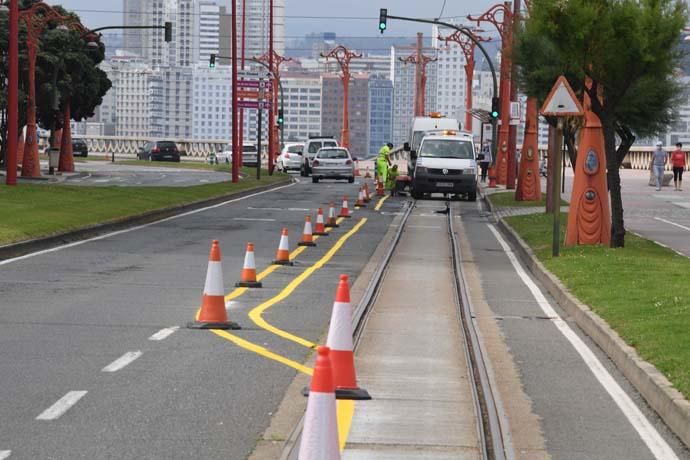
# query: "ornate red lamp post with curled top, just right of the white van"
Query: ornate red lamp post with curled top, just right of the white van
{"points": [[501, 16]]}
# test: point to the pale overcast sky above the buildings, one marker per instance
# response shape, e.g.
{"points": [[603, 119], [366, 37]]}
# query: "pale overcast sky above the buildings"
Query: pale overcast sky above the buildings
{"points": [[109, 12]]}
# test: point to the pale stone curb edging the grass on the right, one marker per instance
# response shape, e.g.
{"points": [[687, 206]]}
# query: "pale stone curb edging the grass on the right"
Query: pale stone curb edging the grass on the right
{"points": [[656, 389]]}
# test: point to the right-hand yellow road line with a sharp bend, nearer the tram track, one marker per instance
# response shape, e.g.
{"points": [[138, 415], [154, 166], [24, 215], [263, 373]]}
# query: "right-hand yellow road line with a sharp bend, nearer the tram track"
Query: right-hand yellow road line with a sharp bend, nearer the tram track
{"points": [[256, 313]]}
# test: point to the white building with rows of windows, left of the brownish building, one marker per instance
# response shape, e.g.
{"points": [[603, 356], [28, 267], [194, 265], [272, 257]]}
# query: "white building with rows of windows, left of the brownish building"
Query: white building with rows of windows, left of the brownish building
{"points": [[302, 105]]}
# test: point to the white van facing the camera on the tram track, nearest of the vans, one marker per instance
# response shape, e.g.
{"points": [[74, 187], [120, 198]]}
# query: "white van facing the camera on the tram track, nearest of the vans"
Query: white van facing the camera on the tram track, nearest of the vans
{"points": [[446, 163]]}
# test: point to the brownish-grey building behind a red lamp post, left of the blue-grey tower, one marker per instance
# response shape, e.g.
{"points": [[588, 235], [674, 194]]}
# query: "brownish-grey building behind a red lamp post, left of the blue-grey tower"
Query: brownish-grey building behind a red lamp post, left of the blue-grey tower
{"points": [[358, 105]]}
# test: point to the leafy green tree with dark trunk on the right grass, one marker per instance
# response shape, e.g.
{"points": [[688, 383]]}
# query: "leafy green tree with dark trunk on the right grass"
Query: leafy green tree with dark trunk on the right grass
{"points": [[627, 48]]}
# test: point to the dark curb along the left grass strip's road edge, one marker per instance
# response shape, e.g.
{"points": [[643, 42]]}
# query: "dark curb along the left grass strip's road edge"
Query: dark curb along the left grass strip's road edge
{"points": [[25, 247]]}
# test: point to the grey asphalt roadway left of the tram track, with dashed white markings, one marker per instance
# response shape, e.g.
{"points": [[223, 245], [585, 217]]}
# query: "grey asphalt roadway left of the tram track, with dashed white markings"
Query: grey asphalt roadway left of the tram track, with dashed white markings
{"points": [[91, 369]]}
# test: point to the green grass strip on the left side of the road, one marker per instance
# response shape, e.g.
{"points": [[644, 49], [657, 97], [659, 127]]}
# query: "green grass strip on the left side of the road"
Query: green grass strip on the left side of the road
{"points": [[30, 211]]}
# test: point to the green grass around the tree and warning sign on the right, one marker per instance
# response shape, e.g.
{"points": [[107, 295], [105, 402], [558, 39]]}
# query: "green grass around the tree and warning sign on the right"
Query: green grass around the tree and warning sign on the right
{"points": [[641, 291]]}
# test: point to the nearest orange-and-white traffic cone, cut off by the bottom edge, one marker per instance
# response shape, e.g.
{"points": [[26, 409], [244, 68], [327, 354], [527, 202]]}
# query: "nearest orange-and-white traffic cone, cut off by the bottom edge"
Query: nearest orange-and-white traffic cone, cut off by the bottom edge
{"points": [[320, 430]]}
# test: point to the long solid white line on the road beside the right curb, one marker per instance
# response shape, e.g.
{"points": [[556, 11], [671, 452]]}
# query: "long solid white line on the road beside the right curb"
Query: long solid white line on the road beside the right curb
{"points": [[656, 444]]}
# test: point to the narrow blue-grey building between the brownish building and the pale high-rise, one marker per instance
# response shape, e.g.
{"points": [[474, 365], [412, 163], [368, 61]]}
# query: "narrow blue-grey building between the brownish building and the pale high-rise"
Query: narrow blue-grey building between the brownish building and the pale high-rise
{"points": [[380, 112]]}
